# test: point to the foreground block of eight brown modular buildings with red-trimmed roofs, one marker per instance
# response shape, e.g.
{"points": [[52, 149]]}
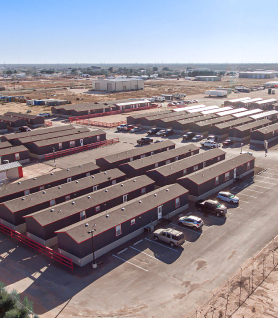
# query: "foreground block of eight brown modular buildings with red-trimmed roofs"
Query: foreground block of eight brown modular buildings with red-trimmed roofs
{"points": [[118, 197]]}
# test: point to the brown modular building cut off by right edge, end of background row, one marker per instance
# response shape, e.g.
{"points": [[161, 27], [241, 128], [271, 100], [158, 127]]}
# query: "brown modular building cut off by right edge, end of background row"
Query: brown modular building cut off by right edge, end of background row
{"points": [[260, 136]]}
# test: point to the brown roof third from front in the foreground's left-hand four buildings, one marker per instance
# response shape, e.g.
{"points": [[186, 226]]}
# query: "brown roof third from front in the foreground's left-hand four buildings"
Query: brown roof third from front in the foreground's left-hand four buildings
{"points": [[39, 197]]}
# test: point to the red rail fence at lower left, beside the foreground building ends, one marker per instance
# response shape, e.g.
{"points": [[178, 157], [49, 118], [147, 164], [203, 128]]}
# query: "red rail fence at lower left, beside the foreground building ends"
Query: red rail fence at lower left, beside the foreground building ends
{"points": [[38, 247]]}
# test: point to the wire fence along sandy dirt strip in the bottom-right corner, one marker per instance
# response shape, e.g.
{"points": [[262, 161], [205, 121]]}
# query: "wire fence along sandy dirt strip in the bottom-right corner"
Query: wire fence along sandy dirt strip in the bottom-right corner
{"points": [[233, 294]]}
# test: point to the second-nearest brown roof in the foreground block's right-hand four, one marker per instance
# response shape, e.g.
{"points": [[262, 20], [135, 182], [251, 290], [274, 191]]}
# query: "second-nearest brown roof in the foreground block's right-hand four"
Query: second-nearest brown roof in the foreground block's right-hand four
{"points": [[186, 163]]}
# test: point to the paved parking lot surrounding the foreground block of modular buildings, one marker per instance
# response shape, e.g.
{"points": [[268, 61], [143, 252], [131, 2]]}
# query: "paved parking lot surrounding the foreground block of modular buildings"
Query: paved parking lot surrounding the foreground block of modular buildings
{"points": [[146, 278]]}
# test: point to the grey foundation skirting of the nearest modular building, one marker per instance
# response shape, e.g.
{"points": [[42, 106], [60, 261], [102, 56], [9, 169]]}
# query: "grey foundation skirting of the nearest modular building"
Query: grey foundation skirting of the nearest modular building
{"points": [[89, 258]]}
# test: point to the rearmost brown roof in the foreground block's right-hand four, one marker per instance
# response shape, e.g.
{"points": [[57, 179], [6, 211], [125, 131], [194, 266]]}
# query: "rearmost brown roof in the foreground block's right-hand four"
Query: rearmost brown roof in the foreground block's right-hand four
{"points": [[138, 151]]}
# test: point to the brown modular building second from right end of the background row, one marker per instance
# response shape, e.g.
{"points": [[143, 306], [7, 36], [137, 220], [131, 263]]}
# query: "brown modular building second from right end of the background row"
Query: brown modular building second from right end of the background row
{"points": [[242, 133]]}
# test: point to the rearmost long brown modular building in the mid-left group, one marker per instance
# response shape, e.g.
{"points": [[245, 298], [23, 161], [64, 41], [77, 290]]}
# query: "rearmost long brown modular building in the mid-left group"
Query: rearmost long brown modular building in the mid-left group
{"points": [[12, 138]]}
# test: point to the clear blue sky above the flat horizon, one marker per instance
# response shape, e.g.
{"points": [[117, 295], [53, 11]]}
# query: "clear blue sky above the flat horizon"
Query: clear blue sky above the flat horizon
{"points": [[145, 31]]}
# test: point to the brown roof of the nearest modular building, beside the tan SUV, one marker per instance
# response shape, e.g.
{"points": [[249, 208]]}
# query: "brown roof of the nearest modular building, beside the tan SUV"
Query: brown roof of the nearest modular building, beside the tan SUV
{"points": [[123, 212]]}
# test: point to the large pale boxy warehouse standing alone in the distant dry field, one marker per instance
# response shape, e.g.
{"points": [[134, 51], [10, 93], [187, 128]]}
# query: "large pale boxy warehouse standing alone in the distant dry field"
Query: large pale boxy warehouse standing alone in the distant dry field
{"points": [[118, 84]]}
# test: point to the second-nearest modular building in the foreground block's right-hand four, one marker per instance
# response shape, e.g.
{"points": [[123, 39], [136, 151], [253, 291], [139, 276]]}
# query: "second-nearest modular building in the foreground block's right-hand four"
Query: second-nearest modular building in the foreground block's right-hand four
{"points": [[170, 173]]}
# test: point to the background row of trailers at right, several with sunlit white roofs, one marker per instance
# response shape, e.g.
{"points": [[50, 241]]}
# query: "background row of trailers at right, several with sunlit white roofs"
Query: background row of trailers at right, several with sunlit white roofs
{"points": [[224, 122]]}
